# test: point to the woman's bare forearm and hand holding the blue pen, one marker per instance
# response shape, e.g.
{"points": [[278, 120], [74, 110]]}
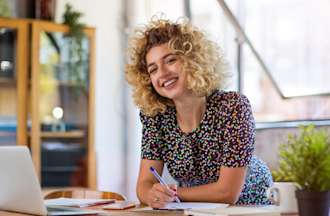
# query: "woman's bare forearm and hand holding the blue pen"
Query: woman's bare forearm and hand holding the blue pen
{"points": [[148, 189]]}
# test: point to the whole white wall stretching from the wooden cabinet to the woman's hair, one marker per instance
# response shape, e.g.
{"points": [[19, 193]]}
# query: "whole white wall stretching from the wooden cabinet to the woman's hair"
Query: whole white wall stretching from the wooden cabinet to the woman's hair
{"points": [[117, 129]]}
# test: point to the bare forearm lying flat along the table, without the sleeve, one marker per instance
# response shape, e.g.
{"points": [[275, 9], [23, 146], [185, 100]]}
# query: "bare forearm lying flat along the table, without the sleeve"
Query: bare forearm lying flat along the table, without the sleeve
{"points": [[212, 192]]}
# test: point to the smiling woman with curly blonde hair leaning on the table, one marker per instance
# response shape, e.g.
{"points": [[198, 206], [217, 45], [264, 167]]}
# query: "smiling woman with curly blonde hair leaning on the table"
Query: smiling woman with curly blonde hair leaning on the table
{"points": [[204, 135]]}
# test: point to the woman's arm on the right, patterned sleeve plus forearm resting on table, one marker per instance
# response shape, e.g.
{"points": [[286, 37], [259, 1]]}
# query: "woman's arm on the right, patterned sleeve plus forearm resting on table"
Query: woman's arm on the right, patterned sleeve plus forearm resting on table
{"points": [[237, 148]]}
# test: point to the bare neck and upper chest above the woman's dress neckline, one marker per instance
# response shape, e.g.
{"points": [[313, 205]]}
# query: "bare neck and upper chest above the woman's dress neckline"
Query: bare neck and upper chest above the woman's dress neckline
{"points": [[190, 112]]}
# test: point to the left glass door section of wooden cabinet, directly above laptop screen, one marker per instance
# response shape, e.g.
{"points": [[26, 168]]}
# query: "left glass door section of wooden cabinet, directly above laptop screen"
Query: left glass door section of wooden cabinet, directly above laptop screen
{"points": [[13, 81]]}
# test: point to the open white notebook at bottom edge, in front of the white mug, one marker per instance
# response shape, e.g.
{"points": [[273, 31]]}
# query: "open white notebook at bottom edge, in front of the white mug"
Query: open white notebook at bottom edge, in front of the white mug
{"points": [[235, 211]]}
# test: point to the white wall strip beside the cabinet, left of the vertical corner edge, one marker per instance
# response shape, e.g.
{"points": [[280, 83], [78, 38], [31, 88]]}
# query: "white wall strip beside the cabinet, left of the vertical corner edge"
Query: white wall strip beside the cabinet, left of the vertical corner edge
{"points": [[106, 17]]}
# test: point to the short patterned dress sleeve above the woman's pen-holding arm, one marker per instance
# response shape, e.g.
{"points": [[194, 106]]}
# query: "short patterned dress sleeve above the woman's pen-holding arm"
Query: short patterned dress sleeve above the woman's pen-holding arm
{"points": [[151, 138]]}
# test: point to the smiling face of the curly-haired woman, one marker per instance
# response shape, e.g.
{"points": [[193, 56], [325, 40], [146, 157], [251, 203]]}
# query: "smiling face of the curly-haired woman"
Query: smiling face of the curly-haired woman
{"points": [[166, 74]]}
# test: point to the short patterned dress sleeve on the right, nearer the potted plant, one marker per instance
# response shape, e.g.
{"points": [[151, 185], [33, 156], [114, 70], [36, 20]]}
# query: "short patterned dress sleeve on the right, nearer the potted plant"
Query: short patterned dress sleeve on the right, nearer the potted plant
{"points": [[239, 132]]}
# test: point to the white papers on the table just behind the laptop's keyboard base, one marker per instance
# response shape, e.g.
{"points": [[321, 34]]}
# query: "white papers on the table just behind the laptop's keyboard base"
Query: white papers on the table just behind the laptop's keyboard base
{"points": [[77, 202]]}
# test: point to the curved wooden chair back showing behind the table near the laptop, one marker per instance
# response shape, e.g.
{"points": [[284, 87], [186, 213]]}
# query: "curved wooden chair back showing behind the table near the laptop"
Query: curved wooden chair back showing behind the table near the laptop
{"points": [[84, 194]]}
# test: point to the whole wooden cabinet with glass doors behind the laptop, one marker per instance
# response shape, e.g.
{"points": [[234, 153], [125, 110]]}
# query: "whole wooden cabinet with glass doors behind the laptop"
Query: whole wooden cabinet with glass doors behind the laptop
{"points": [[51, 87]]}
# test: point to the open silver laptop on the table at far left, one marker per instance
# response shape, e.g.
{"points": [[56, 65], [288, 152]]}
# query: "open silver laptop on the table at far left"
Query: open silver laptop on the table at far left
{"points": [[20, 190]]}
